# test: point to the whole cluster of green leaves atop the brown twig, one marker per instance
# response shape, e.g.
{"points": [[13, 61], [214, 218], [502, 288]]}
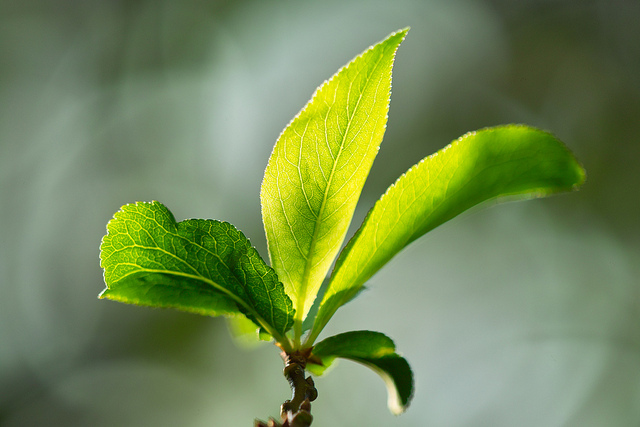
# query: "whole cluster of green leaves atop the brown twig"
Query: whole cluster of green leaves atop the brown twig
{"points": [[311, 186]]}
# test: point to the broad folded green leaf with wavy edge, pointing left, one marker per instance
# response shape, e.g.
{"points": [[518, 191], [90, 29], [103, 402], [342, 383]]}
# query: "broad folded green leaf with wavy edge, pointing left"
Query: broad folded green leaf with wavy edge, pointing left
{"points": [[201, 266]]}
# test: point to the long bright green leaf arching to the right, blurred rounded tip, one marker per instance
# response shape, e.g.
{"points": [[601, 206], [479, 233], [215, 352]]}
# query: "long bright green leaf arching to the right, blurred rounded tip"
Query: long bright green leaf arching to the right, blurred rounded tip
{"points": [[494, 163]]}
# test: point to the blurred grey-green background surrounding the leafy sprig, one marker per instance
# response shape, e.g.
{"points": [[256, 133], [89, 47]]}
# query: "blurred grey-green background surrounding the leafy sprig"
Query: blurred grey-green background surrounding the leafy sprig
{"points": [[524, 314]]}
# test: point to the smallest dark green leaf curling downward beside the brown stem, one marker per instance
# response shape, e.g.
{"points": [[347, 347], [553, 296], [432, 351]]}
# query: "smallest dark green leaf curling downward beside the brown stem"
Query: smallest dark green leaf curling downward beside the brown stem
{"points": [[376, 351]]}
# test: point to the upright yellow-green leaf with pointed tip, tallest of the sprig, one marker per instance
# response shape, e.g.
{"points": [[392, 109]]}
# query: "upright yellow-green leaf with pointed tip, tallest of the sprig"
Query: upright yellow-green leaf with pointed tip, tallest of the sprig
{"points": [[318, 167]]}
